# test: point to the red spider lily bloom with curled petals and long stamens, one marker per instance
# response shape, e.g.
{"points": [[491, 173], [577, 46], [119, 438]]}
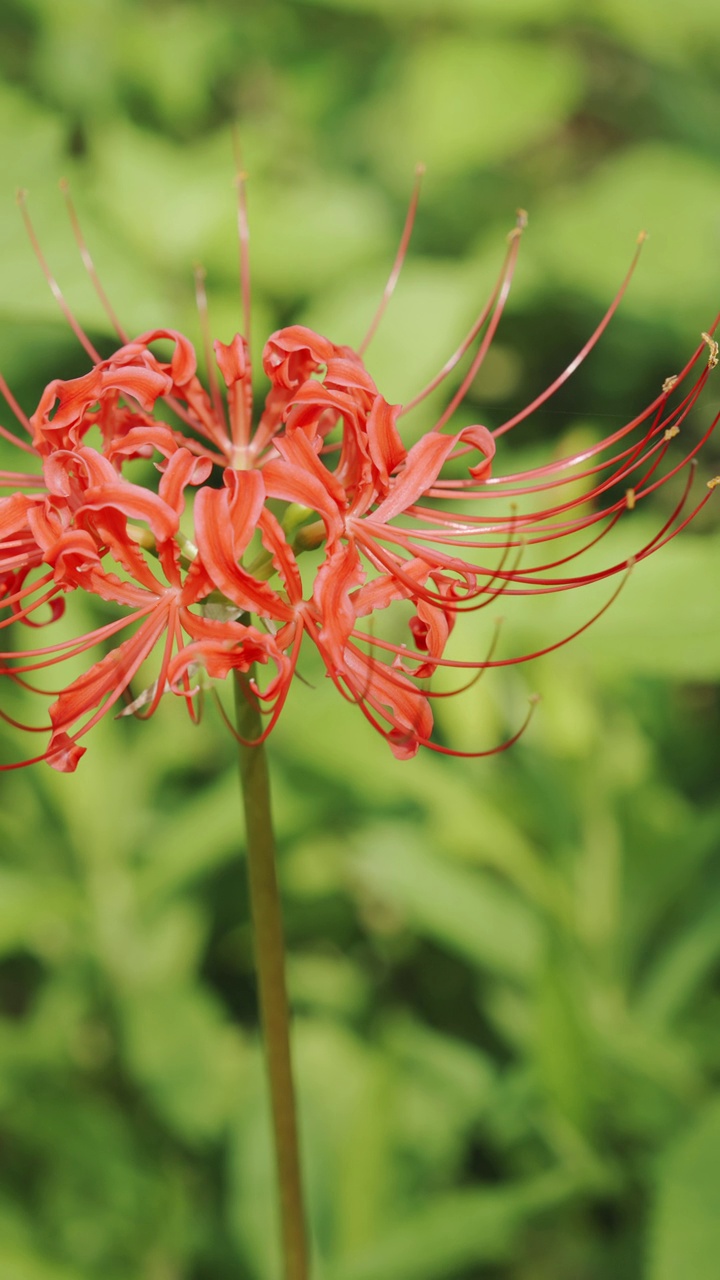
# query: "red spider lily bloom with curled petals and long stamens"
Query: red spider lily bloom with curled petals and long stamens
{"points": [[323, 467]]}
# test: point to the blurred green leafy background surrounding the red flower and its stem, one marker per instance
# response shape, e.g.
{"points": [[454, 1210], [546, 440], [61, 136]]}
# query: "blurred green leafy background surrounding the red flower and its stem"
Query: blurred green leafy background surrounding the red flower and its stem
{"points": [[505, 972]]}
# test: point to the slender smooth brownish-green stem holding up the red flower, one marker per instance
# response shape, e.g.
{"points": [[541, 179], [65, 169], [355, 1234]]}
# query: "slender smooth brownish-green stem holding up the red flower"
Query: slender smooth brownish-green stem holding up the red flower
{"points": [[270, 958]]}
